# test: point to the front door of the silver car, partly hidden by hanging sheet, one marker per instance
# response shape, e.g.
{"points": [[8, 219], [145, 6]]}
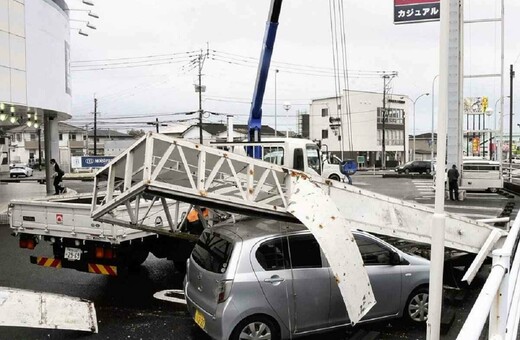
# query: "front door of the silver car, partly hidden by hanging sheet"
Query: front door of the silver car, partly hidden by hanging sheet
{"points": [[386, 281]]}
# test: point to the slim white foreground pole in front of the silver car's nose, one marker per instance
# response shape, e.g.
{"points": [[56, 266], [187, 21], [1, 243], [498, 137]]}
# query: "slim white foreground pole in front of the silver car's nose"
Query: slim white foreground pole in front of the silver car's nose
{"points": [[439, 217]]}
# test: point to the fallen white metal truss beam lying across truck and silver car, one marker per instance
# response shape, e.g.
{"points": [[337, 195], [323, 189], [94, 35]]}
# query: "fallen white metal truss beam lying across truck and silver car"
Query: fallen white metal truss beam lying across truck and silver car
{"points": [[208, 177]]}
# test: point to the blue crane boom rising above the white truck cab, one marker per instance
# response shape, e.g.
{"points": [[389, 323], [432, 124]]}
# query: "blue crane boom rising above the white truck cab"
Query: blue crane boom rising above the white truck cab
{"points": [[255, 116]]}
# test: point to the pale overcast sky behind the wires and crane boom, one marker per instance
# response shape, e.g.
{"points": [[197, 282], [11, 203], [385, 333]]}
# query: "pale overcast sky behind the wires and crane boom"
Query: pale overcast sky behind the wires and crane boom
{"points": [[234, 29]]}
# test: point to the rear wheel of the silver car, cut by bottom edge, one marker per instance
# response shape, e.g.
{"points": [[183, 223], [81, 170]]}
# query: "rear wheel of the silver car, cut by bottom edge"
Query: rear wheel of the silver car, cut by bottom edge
{"points": [[256, 327]]}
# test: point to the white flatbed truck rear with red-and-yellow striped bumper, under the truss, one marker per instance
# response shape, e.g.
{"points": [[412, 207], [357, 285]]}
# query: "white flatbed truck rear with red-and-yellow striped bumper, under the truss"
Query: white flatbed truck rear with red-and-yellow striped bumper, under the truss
{"points": [[78, 242]]}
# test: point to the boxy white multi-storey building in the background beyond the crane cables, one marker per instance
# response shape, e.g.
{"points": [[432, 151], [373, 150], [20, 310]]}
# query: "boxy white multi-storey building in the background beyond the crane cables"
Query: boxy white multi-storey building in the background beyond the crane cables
{"points": [[362, 126]]}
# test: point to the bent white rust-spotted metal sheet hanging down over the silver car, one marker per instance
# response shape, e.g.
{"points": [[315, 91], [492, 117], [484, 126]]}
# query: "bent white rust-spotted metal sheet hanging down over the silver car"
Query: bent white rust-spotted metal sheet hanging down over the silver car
{"points": [[318, 212]]}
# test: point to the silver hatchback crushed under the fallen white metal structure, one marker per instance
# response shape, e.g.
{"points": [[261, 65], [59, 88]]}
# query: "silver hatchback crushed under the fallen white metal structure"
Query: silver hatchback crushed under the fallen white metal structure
{"points": [[263, 279]]}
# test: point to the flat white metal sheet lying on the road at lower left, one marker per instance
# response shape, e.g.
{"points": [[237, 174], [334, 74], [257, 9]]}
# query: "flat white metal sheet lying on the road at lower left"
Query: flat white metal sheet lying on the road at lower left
{"points": [[25, 308]]}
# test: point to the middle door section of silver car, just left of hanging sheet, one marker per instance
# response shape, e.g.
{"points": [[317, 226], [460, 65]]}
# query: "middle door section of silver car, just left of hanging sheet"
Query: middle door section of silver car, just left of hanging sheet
{"points": [[311, 284]]}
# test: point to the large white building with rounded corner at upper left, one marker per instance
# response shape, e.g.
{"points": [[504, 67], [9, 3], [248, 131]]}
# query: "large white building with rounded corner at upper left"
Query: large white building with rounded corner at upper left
{"points": [[34, 65]]}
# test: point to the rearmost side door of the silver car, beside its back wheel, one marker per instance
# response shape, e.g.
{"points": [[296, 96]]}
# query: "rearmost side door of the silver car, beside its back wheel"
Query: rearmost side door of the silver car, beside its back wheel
{"points": [[270, 262]]}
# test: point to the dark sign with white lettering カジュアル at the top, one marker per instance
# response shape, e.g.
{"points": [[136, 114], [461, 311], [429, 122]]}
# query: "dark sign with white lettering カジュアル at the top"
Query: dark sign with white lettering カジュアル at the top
{"points": [[412, 11]]}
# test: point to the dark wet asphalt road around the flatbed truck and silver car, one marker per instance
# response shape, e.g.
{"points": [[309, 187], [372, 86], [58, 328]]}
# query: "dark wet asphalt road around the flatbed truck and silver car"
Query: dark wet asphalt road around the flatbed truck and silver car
{"points": [[125, 306]]}
